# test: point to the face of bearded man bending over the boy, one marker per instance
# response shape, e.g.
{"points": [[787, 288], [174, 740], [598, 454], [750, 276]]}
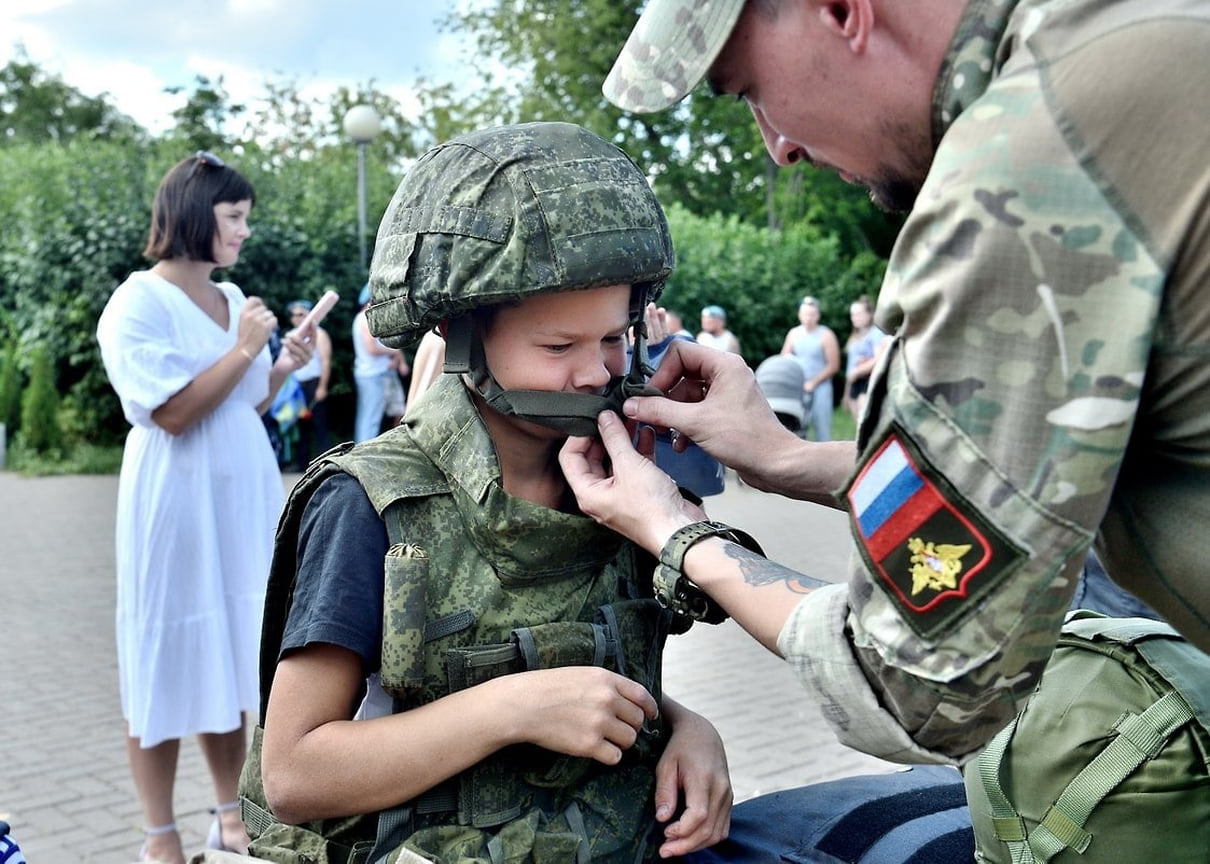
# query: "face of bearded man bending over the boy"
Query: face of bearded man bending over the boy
{"points": [[819, 99]]}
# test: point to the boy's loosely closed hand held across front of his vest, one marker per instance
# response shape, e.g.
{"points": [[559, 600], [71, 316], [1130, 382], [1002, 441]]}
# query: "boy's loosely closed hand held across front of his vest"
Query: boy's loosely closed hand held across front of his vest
{"points": [[585, 711]]}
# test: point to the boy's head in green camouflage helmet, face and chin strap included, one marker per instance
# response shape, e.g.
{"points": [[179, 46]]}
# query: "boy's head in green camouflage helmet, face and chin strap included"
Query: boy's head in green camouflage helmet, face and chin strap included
{"points": [[538, 228]]}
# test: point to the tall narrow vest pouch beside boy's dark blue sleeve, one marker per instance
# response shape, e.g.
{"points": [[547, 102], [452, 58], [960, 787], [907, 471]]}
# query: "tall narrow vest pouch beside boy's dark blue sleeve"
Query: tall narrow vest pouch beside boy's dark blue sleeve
{"points": [[406, 571]]}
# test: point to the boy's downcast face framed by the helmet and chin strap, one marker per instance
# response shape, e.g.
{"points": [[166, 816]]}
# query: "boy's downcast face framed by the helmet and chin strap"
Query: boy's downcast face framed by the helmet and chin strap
{"points": [[571, 342]]}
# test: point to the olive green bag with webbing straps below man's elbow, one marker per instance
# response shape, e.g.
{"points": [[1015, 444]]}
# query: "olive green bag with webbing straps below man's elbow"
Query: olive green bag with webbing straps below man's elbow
{"points": [[1110, 762]]}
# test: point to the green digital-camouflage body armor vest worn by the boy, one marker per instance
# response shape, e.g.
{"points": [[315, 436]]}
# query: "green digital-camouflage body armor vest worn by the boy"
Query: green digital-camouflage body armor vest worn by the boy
{"points": [[477, 585]]}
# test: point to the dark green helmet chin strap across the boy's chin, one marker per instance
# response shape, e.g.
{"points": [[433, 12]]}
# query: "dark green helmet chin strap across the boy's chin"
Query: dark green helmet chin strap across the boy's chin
{"points": [[566, 412]]}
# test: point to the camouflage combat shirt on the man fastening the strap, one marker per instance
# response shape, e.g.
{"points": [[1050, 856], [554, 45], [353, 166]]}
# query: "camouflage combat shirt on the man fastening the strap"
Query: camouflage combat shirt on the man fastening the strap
{"points": [[1050, 381]]}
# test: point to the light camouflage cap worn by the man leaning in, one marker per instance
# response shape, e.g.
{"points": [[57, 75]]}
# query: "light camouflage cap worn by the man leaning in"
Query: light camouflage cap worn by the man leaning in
{"points": [[670, 51]]}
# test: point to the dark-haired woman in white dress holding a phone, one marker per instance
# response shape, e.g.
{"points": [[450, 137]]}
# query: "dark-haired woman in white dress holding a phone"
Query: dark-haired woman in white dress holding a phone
{"points": [[199, 497]]}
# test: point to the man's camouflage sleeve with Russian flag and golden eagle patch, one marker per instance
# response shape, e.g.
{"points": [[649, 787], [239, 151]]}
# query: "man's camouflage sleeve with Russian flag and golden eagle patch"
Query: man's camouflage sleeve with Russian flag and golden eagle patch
{"points": [[998, 424]]}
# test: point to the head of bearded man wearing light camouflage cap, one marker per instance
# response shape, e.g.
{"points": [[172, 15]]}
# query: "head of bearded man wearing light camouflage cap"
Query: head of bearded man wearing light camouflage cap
{"points": [[840, 84]]}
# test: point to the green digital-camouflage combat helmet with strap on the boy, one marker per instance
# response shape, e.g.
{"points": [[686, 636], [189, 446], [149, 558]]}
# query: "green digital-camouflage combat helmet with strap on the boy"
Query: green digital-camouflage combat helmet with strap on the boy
{"points": [[504, 214]]}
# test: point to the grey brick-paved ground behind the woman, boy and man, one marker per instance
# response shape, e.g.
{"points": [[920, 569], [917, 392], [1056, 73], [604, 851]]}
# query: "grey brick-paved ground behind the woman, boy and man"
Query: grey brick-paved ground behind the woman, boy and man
{"points": [[66, 785]]}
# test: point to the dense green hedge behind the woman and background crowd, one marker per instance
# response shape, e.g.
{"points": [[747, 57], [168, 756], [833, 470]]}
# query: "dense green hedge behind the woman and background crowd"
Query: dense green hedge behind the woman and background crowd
{"points": [[77, 217]]}
